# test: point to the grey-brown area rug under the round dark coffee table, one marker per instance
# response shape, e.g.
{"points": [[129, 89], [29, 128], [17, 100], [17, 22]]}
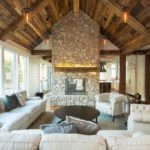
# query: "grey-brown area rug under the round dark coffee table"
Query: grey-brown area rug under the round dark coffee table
{"points": [[104, 121]]}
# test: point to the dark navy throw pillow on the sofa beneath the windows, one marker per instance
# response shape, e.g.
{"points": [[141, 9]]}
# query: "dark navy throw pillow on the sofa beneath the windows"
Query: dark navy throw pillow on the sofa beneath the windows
{"points": [[10, 102]]}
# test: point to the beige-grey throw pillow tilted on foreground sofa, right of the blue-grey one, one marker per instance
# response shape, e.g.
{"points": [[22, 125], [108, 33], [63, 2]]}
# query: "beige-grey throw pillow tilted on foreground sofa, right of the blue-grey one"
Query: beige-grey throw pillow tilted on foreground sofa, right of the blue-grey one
{"points": [[83, 126]]}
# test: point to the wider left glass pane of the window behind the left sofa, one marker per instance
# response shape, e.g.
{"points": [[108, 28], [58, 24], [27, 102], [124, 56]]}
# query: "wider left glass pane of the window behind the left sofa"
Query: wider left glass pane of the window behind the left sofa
{"points": [[8, 72]]}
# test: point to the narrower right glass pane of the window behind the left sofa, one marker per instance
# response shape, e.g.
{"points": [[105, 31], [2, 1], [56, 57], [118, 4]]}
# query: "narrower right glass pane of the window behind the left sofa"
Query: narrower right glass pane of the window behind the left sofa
{"points": [[22, 73]]}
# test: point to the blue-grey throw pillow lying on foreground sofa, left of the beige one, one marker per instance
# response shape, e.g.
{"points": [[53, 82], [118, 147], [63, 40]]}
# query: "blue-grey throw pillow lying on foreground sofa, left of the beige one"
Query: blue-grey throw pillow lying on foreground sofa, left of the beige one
{"points": [[58, 128]]}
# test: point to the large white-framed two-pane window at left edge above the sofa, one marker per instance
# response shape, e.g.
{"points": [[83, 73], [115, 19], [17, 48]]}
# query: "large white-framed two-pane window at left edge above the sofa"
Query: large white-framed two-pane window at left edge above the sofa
{"points": [[13, 69]]}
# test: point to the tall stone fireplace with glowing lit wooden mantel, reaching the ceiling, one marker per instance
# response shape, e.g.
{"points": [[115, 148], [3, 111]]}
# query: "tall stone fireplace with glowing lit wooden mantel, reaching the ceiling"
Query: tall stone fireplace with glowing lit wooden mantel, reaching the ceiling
{"points": [[76, 40]]}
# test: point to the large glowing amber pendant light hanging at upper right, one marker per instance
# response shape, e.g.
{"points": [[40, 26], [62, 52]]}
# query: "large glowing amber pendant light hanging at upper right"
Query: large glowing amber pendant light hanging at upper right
{"points": [[125, 13]]}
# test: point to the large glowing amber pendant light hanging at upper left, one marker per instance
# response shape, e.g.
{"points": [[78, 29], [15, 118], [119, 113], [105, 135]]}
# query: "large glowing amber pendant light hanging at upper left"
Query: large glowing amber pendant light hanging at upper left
{"points": [[27, 13]]}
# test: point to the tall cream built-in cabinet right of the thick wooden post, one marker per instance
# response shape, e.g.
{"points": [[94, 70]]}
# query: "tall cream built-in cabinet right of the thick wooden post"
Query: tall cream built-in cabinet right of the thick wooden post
{"points": [[135, 75]]}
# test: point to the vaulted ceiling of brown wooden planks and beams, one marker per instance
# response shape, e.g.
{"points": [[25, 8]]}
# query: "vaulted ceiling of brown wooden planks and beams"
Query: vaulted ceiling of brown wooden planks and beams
{"points": [[45, 13]]}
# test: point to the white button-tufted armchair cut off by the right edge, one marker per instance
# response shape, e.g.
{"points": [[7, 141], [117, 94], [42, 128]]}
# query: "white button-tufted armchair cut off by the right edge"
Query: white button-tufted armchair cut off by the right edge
{"points": [[139, 118]]}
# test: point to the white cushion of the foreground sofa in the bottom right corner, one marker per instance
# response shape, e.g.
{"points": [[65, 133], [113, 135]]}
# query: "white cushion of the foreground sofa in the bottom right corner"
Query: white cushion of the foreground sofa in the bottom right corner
{"points": [[126, 143]]}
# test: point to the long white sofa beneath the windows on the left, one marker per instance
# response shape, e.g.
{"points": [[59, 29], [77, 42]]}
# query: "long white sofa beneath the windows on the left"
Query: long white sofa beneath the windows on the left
{"points": [[22, 117]]}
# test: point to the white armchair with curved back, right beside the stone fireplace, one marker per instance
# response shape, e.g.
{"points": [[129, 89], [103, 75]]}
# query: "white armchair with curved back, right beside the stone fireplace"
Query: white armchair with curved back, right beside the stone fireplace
{"points": [[111, 103]]}
